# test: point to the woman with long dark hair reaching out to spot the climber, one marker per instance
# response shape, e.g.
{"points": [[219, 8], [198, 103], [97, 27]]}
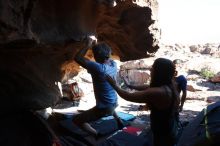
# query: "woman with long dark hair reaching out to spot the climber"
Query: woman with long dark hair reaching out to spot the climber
{"points": [[163, 98]]}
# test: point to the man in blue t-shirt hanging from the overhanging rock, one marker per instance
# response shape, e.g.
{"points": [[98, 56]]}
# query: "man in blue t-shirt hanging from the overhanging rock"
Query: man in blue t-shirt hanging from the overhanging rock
{"points": [[105, 95]]}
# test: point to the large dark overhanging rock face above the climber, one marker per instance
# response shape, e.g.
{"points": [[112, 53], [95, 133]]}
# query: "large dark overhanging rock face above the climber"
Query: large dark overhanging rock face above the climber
{"points": [[38, 40]]}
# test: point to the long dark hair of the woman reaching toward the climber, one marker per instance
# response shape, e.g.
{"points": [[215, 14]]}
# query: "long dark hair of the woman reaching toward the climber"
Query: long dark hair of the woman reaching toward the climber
{"points": [[163, 72]]}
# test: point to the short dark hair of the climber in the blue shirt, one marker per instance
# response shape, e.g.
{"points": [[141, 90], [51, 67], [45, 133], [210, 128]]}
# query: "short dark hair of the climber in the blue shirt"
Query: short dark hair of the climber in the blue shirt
{"points": [[102, 51]]}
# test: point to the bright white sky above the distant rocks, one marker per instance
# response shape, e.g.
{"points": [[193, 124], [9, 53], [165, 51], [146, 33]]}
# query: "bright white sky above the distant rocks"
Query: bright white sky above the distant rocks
{"points": [[189, 21]]}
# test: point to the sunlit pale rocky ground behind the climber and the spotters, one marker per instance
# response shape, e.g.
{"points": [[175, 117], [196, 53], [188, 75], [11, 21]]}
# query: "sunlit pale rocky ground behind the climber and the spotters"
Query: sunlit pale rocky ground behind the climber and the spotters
{"points": [[201, 92]]}
